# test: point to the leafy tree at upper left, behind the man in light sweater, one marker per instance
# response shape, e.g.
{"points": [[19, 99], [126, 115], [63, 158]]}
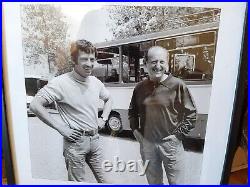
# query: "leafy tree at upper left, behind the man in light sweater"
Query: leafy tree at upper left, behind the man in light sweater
{"points": [[44, 30]]}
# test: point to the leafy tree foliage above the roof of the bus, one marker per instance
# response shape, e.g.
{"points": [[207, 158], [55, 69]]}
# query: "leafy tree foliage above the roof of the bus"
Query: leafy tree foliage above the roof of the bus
{"points": [[127, 21]]}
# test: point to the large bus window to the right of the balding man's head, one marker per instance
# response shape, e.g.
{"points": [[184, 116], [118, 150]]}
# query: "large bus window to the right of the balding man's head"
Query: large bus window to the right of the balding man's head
{"points": [[191, 56]]}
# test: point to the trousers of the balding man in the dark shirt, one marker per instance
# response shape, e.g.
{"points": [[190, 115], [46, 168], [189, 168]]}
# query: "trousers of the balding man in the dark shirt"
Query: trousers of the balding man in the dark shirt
{"points": [[170, 154]]}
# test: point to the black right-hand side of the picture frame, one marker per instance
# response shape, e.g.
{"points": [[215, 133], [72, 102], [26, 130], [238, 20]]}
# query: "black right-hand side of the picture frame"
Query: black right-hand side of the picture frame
{"points": [[238, 111]]}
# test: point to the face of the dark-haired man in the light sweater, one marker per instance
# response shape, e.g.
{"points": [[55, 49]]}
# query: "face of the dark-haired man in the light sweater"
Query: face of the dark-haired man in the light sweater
{"points": [[85, 63]]}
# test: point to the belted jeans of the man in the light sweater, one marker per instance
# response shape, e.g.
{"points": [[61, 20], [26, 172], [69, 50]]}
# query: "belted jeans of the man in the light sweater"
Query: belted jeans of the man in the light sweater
{"points": [[77, 154]]}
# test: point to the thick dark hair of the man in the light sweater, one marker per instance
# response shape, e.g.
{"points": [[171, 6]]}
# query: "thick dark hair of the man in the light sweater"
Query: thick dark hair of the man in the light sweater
{"points": [[81, 45]]}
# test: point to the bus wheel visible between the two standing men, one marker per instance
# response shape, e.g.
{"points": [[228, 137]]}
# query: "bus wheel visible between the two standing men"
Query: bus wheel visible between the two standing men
{"points": [[114, 124]]}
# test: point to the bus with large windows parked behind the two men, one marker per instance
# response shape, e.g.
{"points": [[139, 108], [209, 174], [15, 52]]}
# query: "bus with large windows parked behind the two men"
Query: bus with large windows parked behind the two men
{"points": [[192, 55]]}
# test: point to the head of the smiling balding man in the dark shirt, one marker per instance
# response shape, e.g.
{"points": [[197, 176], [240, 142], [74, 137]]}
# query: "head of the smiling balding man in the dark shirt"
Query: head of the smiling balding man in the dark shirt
{"points": [[157, 63]]}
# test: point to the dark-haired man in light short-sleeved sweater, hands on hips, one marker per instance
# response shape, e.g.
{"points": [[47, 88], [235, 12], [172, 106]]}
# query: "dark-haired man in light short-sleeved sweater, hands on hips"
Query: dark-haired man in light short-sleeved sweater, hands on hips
{"points": [[77, 95]]}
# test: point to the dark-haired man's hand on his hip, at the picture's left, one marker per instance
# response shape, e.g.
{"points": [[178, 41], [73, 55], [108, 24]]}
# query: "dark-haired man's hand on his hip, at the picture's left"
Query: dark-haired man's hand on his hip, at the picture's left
{"points": [[70, 134]]}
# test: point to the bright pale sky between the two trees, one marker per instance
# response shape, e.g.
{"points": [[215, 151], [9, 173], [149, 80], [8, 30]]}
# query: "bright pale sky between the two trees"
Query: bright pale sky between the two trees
{"points": [[86, 21]]}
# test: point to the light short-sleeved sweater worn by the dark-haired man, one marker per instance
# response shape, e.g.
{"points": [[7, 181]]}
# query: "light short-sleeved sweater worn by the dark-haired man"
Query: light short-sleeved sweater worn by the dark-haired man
{"points": [[77, 99]]}
